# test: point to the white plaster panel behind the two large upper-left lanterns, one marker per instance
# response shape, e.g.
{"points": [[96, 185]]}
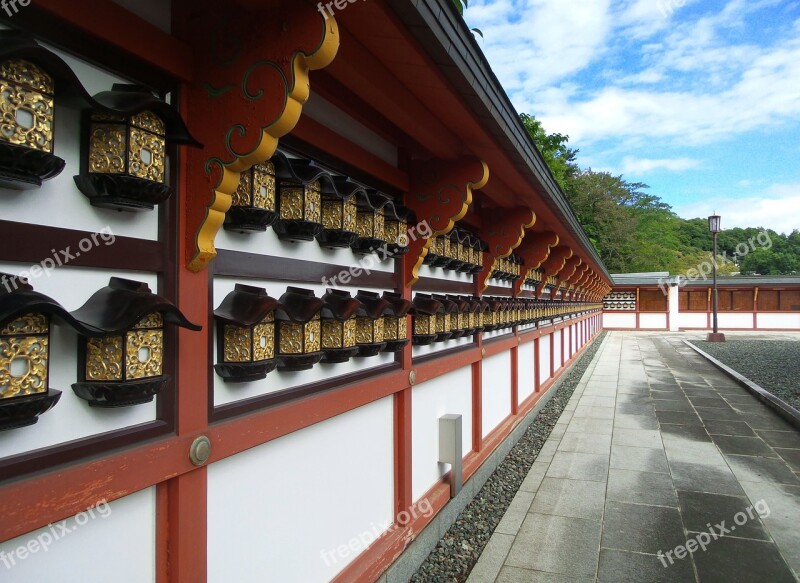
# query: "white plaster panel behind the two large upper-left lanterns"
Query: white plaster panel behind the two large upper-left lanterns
{"points": [[63, 204]]}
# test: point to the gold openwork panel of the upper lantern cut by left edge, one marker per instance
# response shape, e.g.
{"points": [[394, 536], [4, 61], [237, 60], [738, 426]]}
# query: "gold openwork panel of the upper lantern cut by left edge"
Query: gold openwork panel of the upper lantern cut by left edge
{"points": [[26, 105]]}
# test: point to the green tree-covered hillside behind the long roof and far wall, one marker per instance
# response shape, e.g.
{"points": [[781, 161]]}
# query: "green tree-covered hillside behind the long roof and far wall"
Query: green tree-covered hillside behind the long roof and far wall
{"points": [[635, 231]]}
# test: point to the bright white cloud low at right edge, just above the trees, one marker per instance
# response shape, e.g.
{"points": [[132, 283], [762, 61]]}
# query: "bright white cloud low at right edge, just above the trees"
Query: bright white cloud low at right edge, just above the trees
{"points": [[770, 209]]}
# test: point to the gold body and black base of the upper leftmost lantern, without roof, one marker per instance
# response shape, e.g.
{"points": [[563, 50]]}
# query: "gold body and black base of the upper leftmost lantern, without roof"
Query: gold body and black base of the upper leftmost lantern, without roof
{"points": [[27, 121]]}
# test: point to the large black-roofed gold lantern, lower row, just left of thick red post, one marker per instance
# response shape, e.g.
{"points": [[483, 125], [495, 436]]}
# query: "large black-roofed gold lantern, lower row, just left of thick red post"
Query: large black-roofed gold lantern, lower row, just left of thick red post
{"points": [[123, 363]]}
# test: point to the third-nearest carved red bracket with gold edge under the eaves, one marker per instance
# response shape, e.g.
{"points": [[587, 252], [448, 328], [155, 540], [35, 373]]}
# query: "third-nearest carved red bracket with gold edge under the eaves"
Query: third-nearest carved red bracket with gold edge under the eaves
{"points": [[504, 232]]}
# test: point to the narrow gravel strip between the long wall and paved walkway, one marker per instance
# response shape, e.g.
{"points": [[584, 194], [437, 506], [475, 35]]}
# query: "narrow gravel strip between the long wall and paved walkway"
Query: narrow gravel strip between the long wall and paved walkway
{"points": [[457, 552]]}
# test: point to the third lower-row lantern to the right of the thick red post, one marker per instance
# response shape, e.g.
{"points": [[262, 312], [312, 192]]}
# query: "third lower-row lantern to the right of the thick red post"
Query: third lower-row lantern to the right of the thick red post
{"points": [[339, 326]]}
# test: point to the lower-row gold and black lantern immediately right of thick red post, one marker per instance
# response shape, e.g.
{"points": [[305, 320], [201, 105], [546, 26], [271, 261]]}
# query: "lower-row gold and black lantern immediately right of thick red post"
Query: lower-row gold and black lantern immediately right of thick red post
{"points": [[246, 335]]}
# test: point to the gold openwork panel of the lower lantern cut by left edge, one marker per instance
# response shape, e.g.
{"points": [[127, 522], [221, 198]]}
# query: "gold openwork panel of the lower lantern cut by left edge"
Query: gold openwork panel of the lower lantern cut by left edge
{"points": [[24, 356]]}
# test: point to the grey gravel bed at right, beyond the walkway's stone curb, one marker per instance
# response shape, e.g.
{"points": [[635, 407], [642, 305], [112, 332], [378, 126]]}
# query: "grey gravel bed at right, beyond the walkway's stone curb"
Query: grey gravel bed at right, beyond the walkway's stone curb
{"points": [[773, 364]]}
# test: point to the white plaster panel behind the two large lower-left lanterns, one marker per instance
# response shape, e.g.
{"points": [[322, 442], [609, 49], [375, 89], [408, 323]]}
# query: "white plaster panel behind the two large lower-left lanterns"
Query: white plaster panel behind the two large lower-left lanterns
{"points": [[72, 418]]}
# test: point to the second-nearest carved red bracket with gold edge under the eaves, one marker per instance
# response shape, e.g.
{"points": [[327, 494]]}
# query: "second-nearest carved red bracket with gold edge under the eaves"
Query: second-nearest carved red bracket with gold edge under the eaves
{"points": [[441, 193]]}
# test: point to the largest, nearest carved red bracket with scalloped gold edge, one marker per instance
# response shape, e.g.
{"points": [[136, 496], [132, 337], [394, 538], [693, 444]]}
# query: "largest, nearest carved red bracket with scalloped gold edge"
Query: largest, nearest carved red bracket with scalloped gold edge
{"points": [[251, 82]]}
